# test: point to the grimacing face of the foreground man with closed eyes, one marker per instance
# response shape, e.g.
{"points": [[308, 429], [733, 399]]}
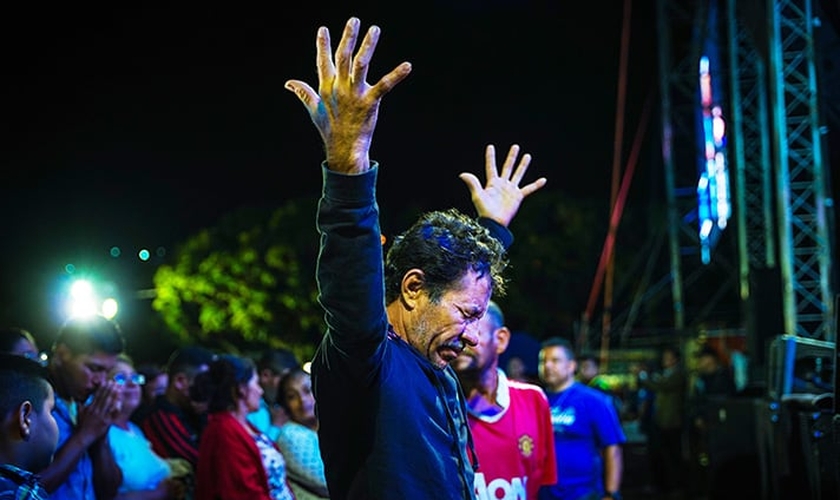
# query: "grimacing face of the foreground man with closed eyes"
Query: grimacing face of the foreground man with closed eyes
{"points": [[441, 330]]}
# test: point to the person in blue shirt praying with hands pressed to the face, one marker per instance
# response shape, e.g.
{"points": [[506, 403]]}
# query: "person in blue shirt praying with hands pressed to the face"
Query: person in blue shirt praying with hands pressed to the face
{"points": [[87, 401]]}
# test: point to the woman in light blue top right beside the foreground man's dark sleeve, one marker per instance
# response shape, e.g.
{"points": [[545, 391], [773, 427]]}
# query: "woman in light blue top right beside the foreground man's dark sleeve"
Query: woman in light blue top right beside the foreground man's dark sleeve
{"points": [[298, 438]]}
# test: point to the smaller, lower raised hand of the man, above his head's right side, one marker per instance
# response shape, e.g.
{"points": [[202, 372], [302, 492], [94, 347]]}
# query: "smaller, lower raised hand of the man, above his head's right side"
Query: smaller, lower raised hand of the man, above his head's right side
{"points": [[501, 197]]}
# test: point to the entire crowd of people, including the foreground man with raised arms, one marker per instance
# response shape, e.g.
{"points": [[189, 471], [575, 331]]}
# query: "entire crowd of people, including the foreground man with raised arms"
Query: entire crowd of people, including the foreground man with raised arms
{"points": [[405, 397]]}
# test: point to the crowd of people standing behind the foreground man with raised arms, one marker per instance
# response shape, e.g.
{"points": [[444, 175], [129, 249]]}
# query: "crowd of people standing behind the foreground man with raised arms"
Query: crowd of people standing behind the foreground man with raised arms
{"points": [[232, 426]]}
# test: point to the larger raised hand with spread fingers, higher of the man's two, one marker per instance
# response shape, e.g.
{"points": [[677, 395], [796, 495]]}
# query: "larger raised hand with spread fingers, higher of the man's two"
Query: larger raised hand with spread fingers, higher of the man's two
{"points": [[345, 107]]}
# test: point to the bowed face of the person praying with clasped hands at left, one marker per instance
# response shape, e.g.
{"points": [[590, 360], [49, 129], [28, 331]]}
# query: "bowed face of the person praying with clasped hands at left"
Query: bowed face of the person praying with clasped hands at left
{"points": [[82, 374]]}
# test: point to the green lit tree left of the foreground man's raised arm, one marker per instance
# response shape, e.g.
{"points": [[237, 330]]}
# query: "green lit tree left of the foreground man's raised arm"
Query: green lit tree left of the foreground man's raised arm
{"points": [[247, 283]]}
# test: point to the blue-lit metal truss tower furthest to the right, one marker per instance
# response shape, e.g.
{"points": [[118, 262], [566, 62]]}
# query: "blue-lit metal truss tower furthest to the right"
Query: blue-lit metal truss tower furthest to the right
{"points": [[805, 254]]}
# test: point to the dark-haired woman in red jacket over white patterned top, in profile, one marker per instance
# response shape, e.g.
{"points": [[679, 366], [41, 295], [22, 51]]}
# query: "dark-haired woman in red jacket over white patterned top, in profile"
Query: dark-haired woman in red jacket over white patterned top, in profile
{"points": [[236, 461]]}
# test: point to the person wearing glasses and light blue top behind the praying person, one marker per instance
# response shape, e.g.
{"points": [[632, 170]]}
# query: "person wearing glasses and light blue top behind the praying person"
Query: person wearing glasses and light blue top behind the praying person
{"points": [[145, 474]]}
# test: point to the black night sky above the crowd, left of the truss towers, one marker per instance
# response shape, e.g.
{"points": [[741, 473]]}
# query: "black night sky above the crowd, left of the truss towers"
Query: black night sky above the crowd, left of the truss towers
{"points": [[136, 127]]}
